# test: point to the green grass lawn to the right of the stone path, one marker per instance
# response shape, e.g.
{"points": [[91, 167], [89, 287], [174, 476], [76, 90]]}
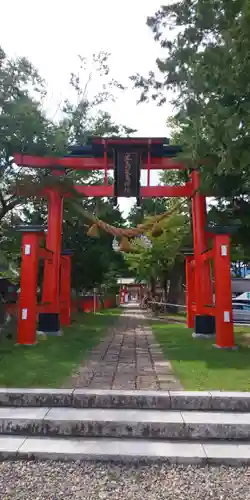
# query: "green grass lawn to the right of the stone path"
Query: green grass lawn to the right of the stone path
{"points": [[199, 366]]}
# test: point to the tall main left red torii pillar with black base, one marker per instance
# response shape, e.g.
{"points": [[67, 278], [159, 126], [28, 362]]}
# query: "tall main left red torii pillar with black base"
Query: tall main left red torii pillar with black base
{"points": [[49, 321]]}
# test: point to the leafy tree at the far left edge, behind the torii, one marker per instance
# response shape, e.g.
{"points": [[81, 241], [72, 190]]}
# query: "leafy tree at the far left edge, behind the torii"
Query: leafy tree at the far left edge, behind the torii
{"points": [[23, 125]]}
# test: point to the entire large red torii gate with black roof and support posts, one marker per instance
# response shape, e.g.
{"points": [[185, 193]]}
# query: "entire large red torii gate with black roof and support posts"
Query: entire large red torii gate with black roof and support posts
{"points": [[126, 157]]}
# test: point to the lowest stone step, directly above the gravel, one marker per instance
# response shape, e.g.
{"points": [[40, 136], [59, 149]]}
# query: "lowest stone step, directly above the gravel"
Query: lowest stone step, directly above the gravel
{"points": [[71, 449]]}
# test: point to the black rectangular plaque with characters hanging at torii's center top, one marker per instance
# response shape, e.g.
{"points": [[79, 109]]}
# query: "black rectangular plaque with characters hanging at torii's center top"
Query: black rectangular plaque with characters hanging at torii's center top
{"points": [[127, 174]]}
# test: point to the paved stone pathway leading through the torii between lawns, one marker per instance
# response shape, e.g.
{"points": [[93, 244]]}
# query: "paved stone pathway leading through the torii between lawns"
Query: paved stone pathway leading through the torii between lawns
{"points": [[127, 358]]}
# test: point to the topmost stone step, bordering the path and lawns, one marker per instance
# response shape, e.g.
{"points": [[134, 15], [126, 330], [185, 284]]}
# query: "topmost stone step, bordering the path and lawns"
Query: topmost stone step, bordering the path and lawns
{"points": [[161, 400]]}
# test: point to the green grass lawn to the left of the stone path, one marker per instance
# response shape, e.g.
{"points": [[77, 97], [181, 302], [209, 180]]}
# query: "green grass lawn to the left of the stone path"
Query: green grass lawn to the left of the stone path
{"points": [[52, 360]]}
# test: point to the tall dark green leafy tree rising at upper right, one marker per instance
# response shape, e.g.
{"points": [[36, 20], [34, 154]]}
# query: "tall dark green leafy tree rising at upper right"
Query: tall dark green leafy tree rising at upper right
{"points": [[205, 68]]}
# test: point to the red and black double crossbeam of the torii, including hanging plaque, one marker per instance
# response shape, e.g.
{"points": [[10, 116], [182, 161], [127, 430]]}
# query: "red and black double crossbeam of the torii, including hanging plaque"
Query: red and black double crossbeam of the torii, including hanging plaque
{"points": [[127, 156]]}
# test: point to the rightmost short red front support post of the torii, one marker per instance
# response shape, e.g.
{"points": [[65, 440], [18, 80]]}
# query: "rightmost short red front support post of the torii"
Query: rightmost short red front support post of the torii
{"points": [[223, 292]]}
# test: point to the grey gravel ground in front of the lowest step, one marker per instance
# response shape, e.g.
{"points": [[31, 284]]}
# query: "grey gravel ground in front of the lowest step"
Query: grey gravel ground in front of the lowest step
{"points": [[88, 481]]}
